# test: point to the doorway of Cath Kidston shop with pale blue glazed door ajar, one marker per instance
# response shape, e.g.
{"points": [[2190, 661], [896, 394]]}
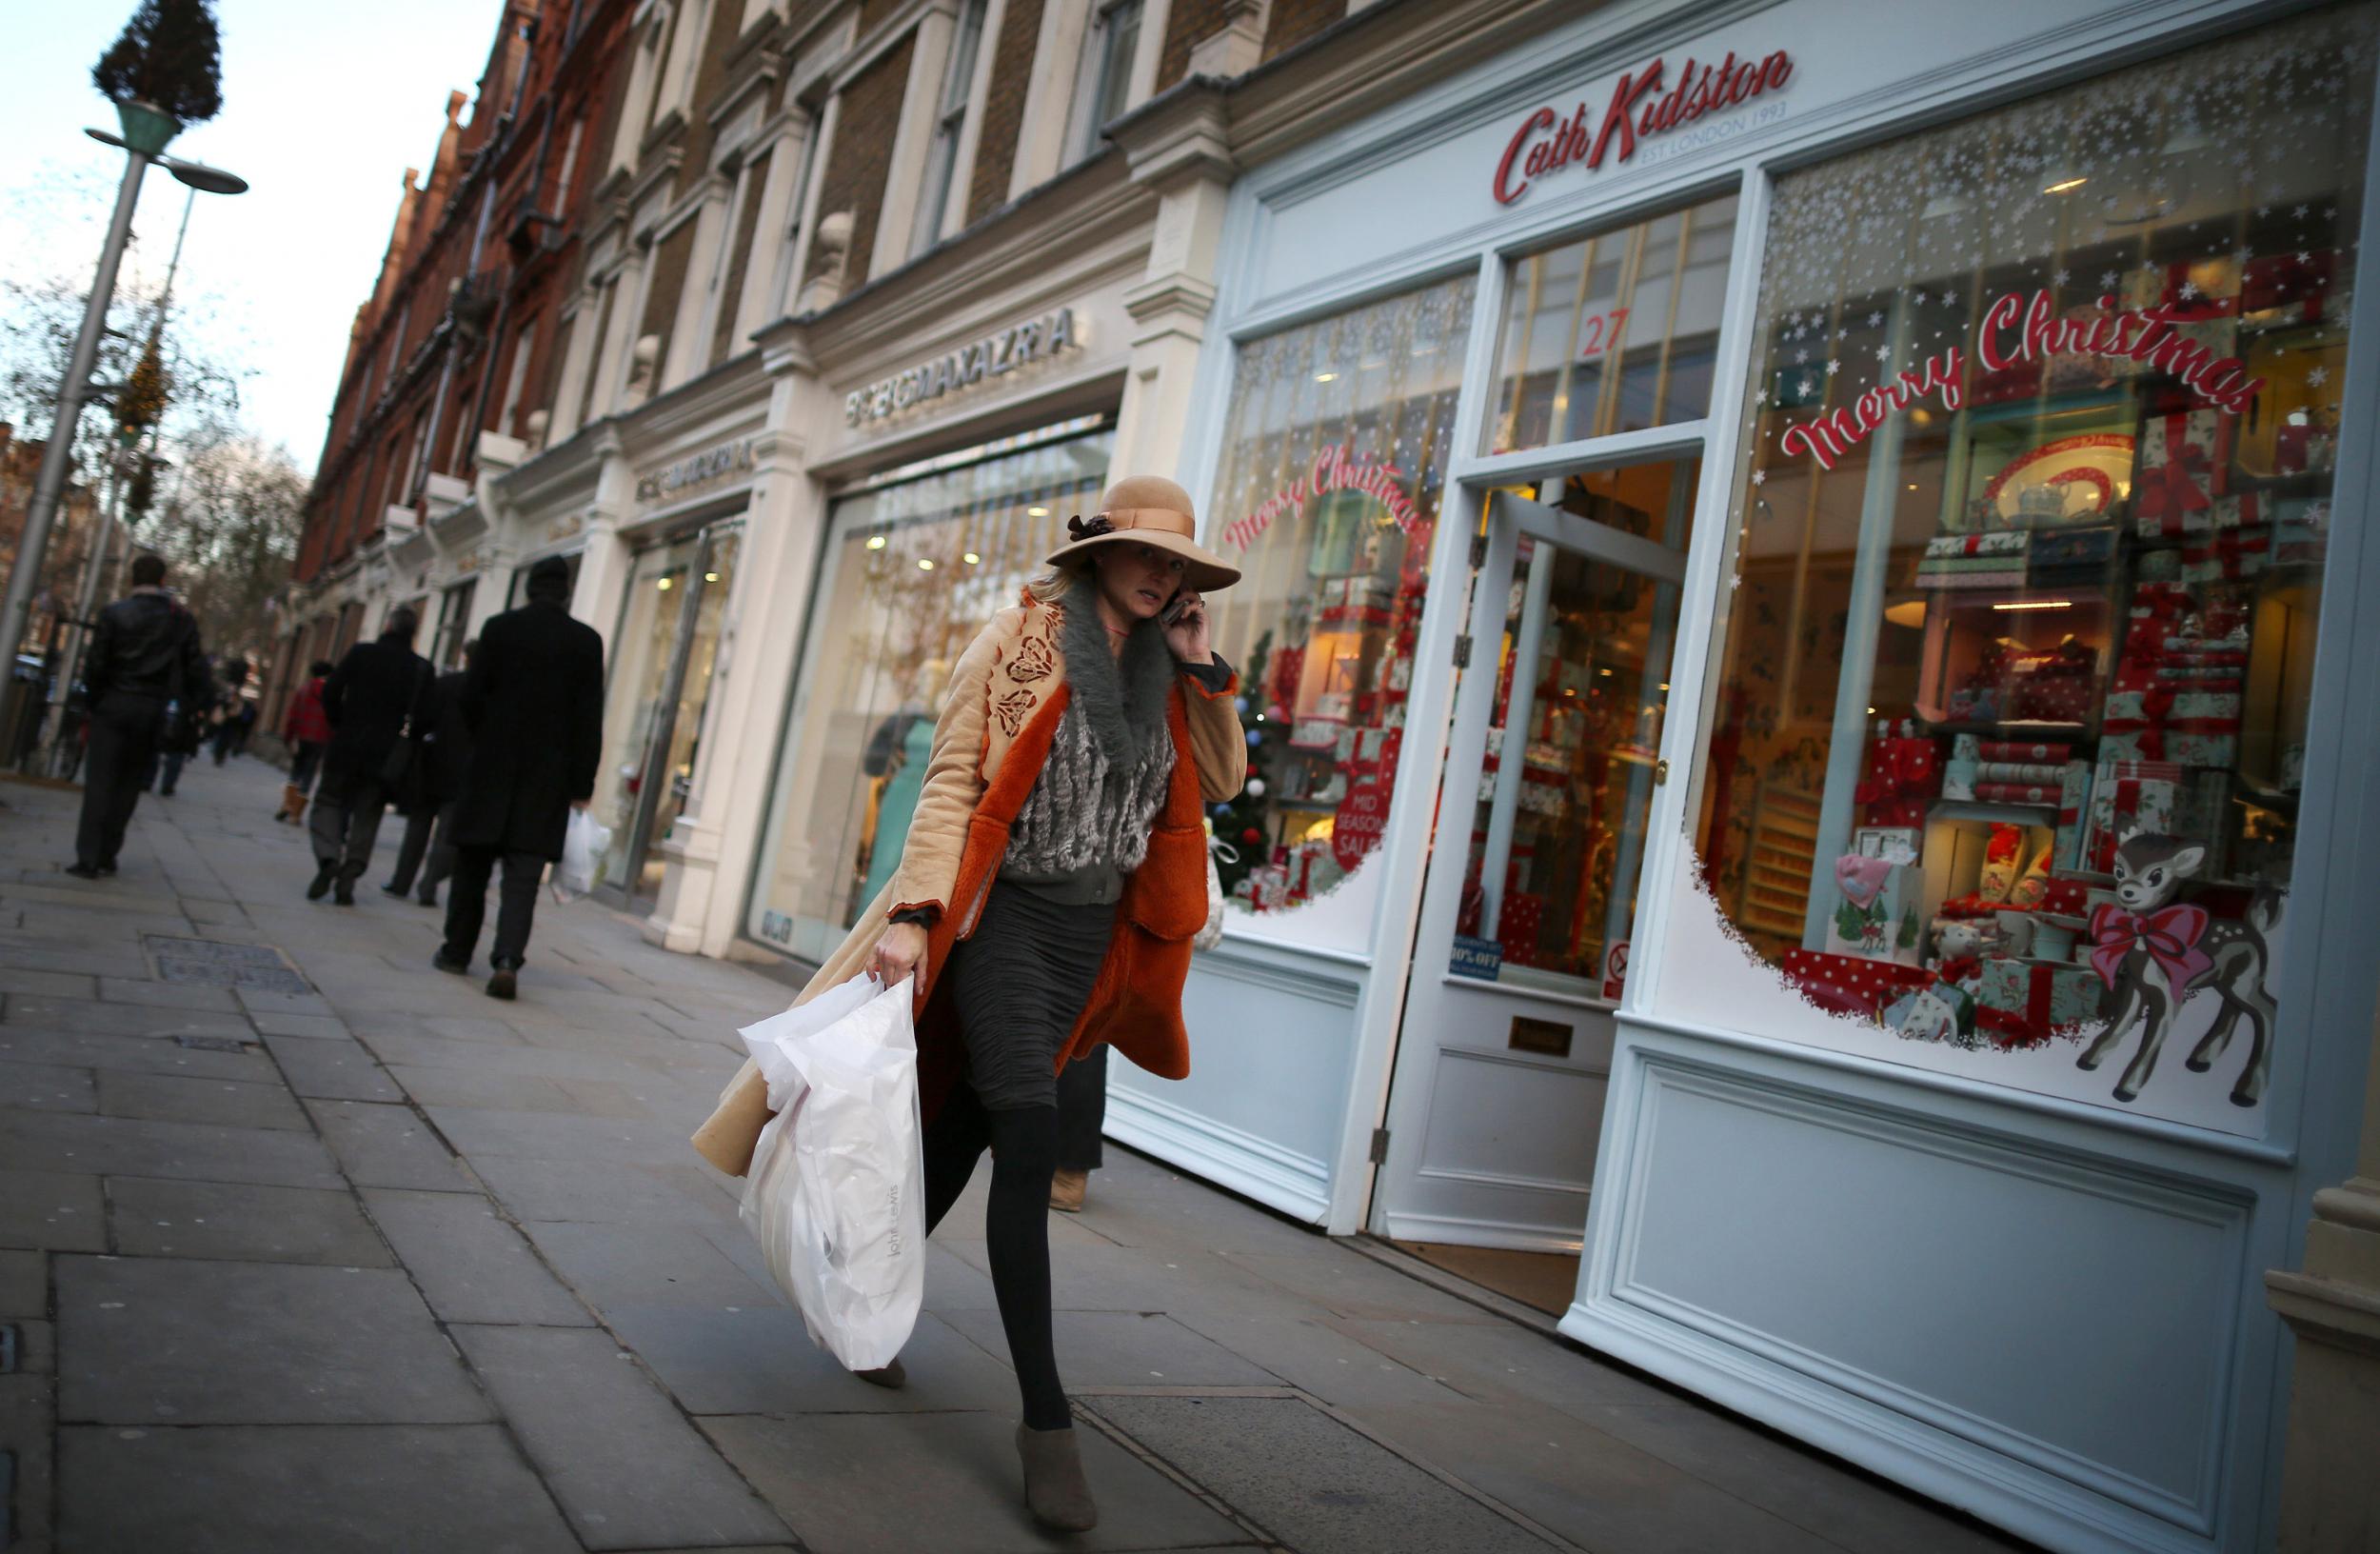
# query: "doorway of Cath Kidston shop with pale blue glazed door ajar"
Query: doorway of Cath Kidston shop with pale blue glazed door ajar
{"points": [[1529, 903]]}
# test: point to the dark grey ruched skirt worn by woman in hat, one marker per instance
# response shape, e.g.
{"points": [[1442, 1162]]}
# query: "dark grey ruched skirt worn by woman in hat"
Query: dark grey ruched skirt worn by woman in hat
{"points": [[1020, 986]]}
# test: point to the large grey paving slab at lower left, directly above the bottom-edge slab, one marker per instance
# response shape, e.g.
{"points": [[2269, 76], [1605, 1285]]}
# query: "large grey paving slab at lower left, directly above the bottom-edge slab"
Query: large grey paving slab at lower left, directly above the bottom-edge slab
{"points": [[158, 1341]]}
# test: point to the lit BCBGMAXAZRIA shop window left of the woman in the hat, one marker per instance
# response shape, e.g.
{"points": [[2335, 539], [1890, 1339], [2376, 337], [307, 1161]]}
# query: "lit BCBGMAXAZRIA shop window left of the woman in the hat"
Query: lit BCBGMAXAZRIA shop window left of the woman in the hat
{"points": [[917, 560]]}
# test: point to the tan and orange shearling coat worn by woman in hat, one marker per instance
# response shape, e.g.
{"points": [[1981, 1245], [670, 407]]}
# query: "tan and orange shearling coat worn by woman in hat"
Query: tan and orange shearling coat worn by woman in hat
{"points": [[989, 746]]}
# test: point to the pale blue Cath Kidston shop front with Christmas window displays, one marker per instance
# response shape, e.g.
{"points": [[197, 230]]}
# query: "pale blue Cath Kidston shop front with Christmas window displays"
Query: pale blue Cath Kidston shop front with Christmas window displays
{"points": [[1796, 658]]}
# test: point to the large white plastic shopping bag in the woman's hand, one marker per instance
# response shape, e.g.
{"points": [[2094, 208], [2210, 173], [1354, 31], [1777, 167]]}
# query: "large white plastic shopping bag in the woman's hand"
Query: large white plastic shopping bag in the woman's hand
{"points": [[837, 1191]]}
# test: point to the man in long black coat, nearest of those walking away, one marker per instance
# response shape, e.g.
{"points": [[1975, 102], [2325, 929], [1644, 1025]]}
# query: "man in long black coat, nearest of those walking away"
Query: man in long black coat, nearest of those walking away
{"points": [[534, 701]]}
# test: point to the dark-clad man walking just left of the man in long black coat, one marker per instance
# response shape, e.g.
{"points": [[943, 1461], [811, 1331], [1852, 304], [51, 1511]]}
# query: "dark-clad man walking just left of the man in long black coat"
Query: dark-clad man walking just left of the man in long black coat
{"points": [[377, 698]]}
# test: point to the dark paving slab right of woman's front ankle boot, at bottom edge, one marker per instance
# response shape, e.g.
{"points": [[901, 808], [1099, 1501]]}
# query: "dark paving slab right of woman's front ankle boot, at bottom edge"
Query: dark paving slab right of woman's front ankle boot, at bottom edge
{"points": [[1313, 1481]]}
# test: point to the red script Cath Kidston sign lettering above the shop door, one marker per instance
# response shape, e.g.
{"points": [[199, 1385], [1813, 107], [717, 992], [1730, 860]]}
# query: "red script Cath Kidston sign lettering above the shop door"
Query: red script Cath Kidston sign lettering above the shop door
{"points": [[1641, 111]]}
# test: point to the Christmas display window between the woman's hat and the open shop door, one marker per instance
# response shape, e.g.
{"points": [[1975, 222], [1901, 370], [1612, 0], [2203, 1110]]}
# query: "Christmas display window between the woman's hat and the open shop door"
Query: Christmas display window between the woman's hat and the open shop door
{"points": [[1329, 494]]}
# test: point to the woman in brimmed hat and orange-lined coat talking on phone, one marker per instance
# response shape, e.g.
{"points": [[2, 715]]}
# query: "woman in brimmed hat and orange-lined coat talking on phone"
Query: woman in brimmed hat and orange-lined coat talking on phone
{"points": [[1046, 898]]}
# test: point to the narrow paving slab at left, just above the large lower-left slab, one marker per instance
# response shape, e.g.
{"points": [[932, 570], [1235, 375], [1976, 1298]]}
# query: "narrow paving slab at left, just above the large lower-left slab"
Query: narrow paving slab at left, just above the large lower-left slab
{"points": [[242, 1222]]}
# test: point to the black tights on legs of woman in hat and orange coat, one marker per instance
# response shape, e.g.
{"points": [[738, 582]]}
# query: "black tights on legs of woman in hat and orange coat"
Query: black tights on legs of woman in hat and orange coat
{"points": [[1015, 1229]]}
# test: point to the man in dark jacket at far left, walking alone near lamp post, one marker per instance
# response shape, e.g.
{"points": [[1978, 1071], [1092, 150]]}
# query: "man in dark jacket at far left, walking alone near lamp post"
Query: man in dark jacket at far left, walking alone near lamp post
{"points": [[144, 660]]}
